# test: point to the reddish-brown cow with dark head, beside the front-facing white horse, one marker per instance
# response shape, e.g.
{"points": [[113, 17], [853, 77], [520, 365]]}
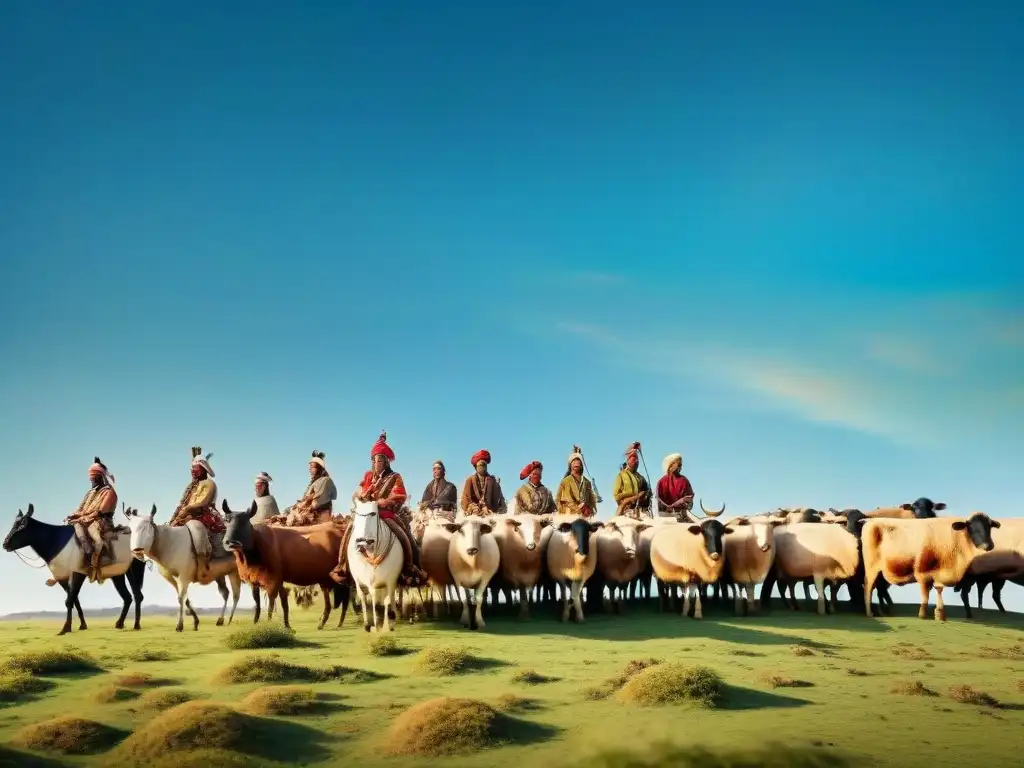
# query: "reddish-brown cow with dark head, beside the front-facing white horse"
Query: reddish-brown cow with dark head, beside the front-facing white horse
{"points": [[271, 557]]}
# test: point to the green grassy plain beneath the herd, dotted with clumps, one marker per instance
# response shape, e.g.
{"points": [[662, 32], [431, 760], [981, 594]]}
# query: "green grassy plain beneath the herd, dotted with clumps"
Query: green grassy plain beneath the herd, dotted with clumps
{"points": [[880, 693]]}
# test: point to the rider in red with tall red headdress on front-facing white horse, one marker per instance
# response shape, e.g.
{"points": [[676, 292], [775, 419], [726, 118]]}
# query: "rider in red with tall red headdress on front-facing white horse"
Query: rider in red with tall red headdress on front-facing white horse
{"points": [[385, 486]]}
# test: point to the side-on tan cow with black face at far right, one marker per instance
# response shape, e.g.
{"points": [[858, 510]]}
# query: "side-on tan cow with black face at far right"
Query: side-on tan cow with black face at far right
{"points": [[933, 552]]}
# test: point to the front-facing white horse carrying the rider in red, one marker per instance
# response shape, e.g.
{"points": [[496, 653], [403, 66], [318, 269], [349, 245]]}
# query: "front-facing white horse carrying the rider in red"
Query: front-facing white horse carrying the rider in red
{"points": [[375, 560]]}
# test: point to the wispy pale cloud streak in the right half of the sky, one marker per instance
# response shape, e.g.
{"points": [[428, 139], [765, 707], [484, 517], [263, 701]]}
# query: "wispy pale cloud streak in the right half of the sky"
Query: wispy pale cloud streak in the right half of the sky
{"points": [[903, 379]]}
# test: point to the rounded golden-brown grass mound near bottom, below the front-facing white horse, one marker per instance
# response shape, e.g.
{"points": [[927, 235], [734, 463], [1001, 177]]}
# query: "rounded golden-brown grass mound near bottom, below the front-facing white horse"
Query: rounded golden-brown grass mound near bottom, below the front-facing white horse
{"points": [[448, 727]]}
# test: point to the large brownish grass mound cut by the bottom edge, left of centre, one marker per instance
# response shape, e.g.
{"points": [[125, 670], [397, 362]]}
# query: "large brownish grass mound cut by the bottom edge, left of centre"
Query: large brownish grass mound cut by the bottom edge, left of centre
{"points": [[190, 727]]}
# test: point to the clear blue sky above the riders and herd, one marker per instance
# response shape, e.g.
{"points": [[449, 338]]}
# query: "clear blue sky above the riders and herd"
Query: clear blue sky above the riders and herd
{"points": [[779, 241]]}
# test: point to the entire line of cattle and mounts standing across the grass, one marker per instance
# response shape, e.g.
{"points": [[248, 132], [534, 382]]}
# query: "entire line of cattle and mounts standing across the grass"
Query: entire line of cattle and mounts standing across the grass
{"points": [[578, 563]]}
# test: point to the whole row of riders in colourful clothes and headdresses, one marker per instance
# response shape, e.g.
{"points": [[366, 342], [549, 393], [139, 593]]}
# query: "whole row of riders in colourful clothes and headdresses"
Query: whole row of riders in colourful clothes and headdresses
{"points": [[482, 495]]}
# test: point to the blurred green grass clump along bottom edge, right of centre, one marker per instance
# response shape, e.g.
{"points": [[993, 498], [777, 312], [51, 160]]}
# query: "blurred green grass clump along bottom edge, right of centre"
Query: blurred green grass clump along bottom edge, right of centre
{"points": [[687, 756]]}
